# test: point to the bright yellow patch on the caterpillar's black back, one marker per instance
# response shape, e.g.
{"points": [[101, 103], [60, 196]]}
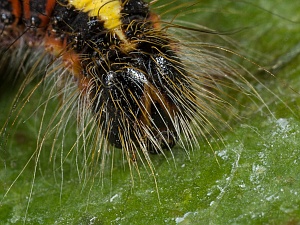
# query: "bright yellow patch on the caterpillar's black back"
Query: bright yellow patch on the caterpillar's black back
{"points": [[108, 11]]}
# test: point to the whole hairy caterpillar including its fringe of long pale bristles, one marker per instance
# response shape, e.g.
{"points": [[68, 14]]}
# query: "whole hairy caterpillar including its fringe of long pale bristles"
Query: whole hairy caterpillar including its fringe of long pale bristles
{"points": [[125, 81]]}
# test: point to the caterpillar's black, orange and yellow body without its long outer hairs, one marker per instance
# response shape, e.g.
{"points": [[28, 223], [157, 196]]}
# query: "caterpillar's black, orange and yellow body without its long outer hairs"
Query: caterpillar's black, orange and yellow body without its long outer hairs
{"points": [[126, 66]]}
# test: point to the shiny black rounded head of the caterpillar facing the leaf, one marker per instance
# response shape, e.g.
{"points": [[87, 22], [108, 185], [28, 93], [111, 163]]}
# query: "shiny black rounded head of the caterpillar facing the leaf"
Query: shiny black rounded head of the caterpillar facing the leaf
{"points": [[138, 98]]}
